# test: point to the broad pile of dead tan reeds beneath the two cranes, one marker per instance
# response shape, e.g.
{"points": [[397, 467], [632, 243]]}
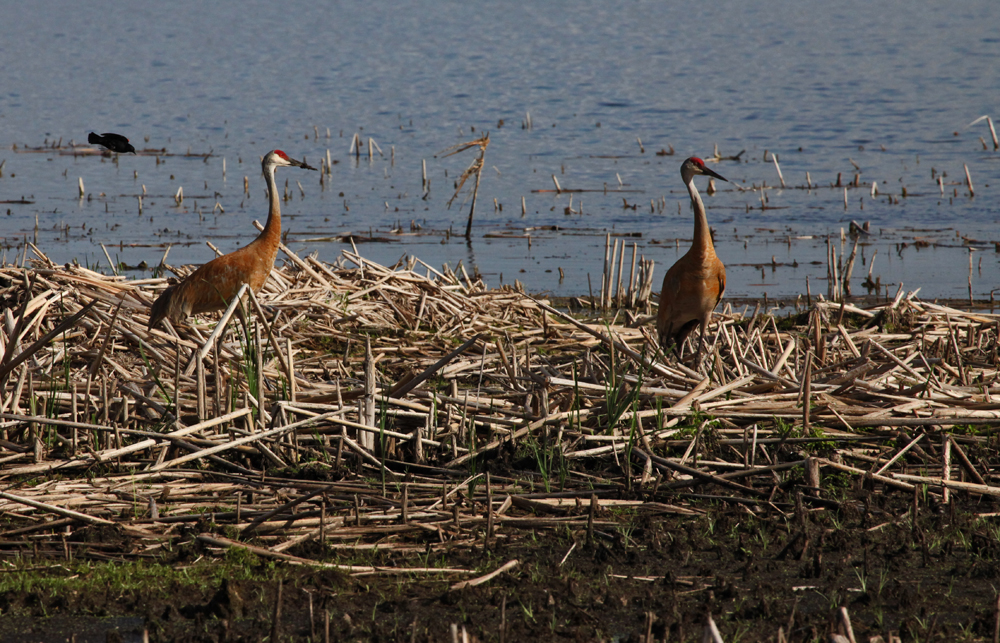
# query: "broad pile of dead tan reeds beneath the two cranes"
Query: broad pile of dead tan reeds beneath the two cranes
{"points": [[353, 404]]}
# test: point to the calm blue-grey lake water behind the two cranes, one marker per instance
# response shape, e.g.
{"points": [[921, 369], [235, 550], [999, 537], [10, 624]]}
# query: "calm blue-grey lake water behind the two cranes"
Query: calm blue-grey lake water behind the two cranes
{"points": [[884, 90]]}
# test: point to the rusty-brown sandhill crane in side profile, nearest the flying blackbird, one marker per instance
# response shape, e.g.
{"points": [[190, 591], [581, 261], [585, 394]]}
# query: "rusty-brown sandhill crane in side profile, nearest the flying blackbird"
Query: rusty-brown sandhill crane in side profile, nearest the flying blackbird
{"points": [[213, 286]]}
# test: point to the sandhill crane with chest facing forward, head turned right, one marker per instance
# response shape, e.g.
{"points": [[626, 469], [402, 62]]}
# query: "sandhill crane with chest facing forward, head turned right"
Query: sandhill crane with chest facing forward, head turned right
{"points": [[694, 285]]}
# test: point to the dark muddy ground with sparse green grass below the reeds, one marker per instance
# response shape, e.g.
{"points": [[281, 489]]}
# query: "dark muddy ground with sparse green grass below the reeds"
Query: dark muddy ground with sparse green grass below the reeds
{"points": [[900, 563]]}
